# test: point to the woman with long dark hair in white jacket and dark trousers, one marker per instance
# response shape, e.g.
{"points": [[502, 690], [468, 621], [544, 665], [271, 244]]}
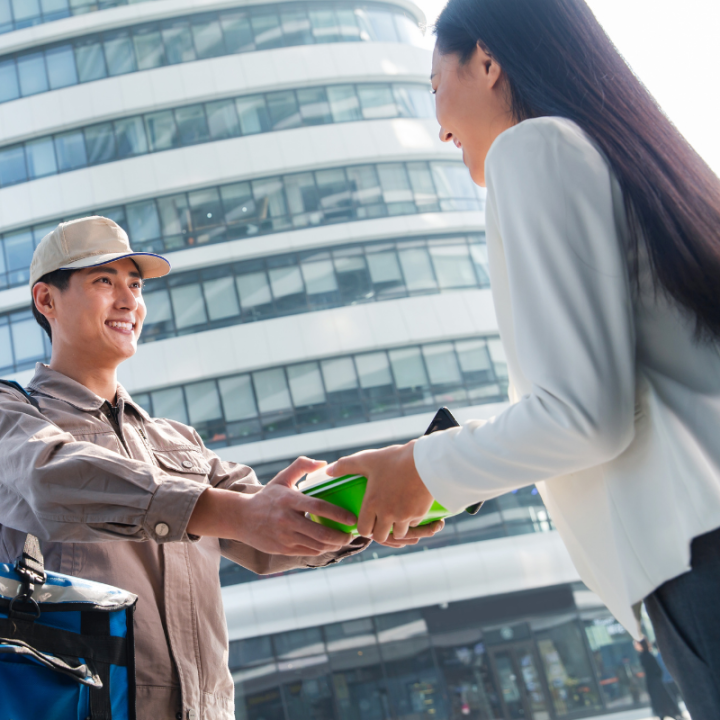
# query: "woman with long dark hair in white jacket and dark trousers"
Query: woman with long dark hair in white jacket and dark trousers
{"points": [[603, 235]]}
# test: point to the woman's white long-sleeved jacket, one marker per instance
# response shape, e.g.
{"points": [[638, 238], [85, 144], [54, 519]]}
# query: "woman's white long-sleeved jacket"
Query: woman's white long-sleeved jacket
{"points": [[616, 413]]}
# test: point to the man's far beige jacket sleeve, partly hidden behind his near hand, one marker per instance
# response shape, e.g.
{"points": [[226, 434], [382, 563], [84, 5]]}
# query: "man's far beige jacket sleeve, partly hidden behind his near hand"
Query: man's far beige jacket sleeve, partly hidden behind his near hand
{"points": [[240, 478]]}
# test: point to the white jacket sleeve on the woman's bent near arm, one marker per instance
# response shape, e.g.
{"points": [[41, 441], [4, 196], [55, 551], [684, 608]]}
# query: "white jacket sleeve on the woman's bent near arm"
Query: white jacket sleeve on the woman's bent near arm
{"points": [[570, 327]]}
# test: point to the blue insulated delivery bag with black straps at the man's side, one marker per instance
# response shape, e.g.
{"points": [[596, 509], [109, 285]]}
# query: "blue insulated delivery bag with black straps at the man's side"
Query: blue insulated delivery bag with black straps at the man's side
{"points": [[66, 645]]}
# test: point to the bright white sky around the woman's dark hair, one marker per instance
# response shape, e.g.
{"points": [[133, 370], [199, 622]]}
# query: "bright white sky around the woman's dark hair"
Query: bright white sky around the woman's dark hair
{"points": [[674, 48]]}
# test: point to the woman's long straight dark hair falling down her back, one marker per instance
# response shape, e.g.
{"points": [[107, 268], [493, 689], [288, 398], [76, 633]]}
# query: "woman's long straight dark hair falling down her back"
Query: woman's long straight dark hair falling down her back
{"points": [[559, 61]]}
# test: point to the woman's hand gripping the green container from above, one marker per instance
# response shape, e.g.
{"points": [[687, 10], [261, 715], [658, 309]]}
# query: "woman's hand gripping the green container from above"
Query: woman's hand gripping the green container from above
{"points": [[396, 498]]}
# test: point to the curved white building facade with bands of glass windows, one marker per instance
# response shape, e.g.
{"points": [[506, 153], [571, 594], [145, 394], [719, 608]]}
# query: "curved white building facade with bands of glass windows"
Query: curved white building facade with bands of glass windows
{"points": [[329, 292]]}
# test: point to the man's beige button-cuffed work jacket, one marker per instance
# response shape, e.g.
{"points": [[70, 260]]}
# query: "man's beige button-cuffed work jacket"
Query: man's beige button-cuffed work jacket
{"points": [[110, 494]]}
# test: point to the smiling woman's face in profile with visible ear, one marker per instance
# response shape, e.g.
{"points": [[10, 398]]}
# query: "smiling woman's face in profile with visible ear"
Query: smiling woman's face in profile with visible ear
{"points": [[472, 105]]}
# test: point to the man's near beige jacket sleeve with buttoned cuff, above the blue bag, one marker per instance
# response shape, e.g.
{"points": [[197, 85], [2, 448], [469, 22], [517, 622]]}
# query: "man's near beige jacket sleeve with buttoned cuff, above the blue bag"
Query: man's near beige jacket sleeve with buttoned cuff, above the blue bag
{"points": [[65, 490]]}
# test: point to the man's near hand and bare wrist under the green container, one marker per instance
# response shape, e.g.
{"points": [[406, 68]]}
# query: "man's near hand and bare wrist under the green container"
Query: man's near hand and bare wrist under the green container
{"points": [[273, 519]]}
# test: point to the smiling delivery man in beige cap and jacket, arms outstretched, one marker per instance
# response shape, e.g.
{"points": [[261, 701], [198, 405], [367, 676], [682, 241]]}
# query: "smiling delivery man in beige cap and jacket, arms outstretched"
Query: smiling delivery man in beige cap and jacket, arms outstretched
{"points": [[138, 502]]}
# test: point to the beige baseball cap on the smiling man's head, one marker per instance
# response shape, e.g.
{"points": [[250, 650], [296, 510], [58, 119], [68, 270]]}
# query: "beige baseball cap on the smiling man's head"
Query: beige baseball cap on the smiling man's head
{"points": [[89, 242]]}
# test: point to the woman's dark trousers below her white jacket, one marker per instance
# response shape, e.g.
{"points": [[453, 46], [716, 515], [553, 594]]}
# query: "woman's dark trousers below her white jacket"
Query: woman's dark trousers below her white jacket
{"points": [[685, 614]]}
